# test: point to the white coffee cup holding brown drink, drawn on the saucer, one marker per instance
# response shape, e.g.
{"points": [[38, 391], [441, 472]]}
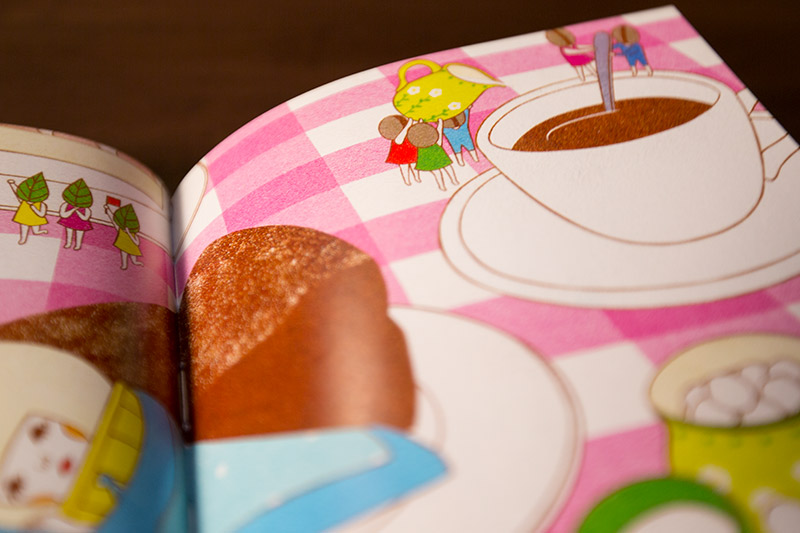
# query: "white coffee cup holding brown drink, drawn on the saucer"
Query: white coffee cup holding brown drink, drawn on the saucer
{"points": [[685, 183]]}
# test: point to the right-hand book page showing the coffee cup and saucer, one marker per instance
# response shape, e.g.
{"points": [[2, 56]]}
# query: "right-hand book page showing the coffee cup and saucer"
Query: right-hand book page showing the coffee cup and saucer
{"points": [[559, 270]]}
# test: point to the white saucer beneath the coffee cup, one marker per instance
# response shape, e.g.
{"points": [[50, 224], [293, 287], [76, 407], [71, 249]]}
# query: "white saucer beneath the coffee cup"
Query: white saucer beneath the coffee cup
{"points": [[497, 236]]}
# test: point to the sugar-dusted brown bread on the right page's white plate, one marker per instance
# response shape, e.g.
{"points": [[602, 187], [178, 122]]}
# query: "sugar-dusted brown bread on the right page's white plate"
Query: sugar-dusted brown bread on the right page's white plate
{"points": [[285, 328]]}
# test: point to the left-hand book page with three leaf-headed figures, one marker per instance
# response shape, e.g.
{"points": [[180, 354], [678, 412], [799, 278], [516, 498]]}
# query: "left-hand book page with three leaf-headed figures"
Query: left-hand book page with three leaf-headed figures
{"points": [[88, 434]]}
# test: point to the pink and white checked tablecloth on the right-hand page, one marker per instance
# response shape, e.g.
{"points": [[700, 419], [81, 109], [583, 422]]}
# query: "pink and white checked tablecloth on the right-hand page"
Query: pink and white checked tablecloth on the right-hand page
{"points": [[318, 161]]}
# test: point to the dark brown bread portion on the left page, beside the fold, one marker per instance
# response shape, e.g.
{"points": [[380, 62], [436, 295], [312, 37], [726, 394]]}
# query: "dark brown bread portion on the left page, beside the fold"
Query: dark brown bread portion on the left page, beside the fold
{"points": [[131, 342]]}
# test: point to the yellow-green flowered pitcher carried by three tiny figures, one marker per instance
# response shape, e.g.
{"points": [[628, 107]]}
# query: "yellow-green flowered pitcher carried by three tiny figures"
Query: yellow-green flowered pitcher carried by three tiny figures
{"points": [[443, 93]]}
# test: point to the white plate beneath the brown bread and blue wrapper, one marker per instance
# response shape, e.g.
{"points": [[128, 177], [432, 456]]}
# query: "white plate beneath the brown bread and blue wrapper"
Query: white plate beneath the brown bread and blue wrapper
{"points": [[501, 419]]}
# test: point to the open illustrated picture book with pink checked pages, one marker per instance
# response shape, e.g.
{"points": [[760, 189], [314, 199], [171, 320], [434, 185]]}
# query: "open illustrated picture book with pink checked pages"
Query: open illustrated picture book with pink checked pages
{"points": [[545, 283]]}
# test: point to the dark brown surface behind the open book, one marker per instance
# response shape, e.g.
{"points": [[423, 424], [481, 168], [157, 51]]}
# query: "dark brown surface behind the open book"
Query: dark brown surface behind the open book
{"points": [[166, 81]]}
